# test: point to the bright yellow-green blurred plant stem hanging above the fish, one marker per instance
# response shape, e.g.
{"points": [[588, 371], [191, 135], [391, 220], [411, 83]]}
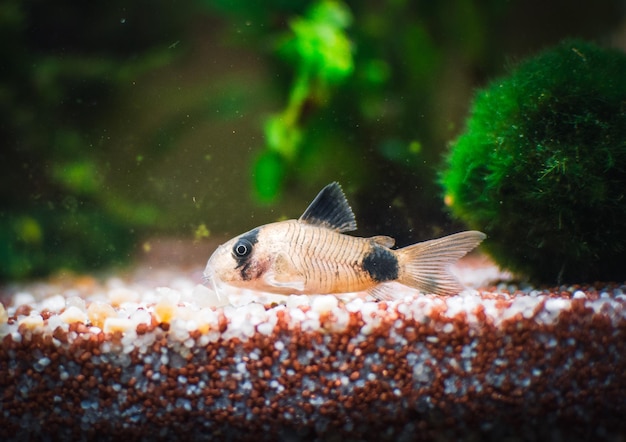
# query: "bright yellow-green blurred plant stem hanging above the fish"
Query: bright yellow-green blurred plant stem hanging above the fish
{"points": [[318, 46]]}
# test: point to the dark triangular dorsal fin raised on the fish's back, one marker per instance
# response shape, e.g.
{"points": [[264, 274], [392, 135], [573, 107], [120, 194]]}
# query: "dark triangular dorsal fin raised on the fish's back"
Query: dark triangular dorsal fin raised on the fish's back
{"points": [[330, 209]]}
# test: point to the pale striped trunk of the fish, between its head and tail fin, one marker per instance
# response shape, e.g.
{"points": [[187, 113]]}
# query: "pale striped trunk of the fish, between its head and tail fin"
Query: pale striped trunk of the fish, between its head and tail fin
{"points": [[296, 257]]}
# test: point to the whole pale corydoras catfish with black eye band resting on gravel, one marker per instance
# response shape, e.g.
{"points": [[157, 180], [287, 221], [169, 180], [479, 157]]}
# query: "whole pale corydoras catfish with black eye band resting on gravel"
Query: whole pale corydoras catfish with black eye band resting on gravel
{"points": [[314, 255]]}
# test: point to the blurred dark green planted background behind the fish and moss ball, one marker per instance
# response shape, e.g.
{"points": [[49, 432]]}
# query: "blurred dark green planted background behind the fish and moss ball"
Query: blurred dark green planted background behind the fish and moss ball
{"points": [[367, 93]]}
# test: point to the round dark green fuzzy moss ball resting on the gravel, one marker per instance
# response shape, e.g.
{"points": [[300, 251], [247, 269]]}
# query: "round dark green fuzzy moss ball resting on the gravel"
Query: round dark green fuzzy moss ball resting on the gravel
{"points": [[541, 166]]}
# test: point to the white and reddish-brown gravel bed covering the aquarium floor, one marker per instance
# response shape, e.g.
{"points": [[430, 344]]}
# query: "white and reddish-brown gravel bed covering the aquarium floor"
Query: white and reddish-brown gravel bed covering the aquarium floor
{"points": [[155, 355]]}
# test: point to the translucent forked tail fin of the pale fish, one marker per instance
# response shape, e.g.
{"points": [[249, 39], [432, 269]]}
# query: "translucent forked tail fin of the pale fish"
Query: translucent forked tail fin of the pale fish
{"points": [[425, 265]]}
